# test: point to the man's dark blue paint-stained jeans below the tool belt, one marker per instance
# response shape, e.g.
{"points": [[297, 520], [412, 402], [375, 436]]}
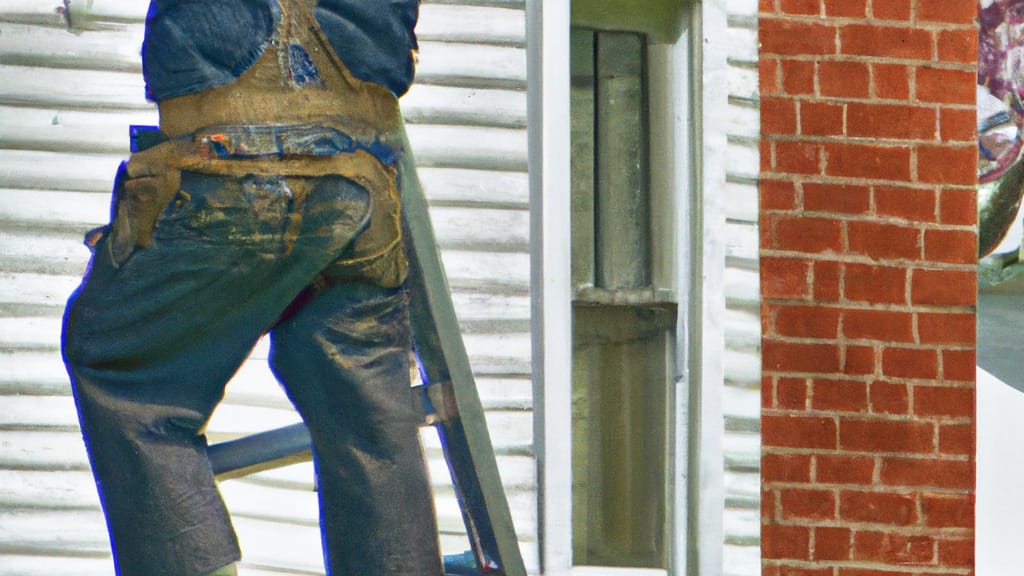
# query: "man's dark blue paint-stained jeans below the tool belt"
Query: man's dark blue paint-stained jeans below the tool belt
{"points": [[152, 337]]}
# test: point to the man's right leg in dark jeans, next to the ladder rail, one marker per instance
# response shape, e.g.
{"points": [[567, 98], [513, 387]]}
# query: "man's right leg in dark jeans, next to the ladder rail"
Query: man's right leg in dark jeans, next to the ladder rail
{"points": [[344, 358]]}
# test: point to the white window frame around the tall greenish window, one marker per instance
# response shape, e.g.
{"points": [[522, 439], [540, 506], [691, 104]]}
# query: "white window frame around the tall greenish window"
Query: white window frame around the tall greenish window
{"points": [[699, 113]]}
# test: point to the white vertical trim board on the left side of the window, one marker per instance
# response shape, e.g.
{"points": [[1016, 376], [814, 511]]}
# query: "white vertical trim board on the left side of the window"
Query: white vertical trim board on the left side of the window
{"points": [[551, 297]]}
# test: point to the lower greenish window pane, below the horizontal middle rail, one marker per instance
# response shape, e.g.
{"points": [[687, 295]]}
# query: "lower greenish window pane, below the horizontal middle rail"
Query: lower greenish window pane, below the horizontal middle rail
{"points": [[622, 372]]}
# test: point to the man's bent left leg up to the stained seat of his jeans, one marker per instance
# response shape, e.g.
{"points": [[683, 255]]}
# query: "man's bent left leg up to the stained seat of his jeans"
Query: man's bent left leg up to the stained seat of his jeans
{"points": [[151, 341]]}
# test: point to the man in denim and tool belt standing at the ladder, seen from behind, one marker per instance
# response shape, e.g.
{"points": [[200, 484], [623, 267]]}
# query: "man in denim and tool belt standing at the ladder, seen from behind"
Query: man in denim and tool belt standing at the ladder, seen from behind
{"points": [[268, 202]]}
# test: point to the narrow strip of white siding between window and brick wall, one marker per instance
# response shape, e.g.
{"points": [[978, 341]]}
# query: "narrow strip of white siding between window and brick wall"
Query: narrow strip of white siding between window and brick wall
{"points": [[742, 404]]}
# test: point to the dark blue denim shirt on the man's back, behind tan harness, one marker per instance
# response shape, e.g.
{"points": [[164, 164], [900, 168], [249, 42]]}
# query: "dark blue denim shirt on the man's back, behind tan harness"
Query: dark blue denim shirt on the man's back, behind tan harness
{"points": [[192, 46]]}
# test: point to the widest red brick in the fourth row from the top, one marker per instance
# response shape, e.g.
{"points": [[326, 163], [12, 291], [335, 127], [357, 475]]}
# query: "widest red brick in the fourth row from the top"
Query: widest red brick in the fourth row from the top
{"points": [[892, 121]]}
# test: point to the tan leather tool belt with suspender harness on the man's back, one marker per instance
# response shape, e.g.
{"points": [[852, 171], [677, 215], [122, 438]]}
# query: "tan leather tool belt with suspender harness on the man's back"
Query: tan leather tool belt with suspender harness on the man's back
{"points": [[296, 113]]}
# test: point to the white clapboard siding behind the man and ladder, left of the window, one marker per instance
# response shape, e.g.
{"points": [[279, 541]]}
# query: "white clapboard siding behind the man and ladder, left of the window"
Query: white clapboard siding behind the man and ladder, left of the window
{"points": [[66, 103]]}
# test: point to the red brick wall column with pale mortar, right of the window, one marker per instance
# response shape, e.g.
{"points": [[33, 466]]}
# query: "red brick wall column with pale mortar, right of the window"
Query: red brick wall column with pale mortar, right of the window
{"points": [[868, 265]]}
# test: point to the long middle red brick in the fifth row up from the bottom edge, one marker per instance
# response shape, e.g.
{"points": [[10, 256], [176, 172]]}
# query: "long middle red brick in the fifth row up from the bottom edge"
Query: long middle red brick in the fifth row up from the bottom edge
{"points": [[879, 435]]}
